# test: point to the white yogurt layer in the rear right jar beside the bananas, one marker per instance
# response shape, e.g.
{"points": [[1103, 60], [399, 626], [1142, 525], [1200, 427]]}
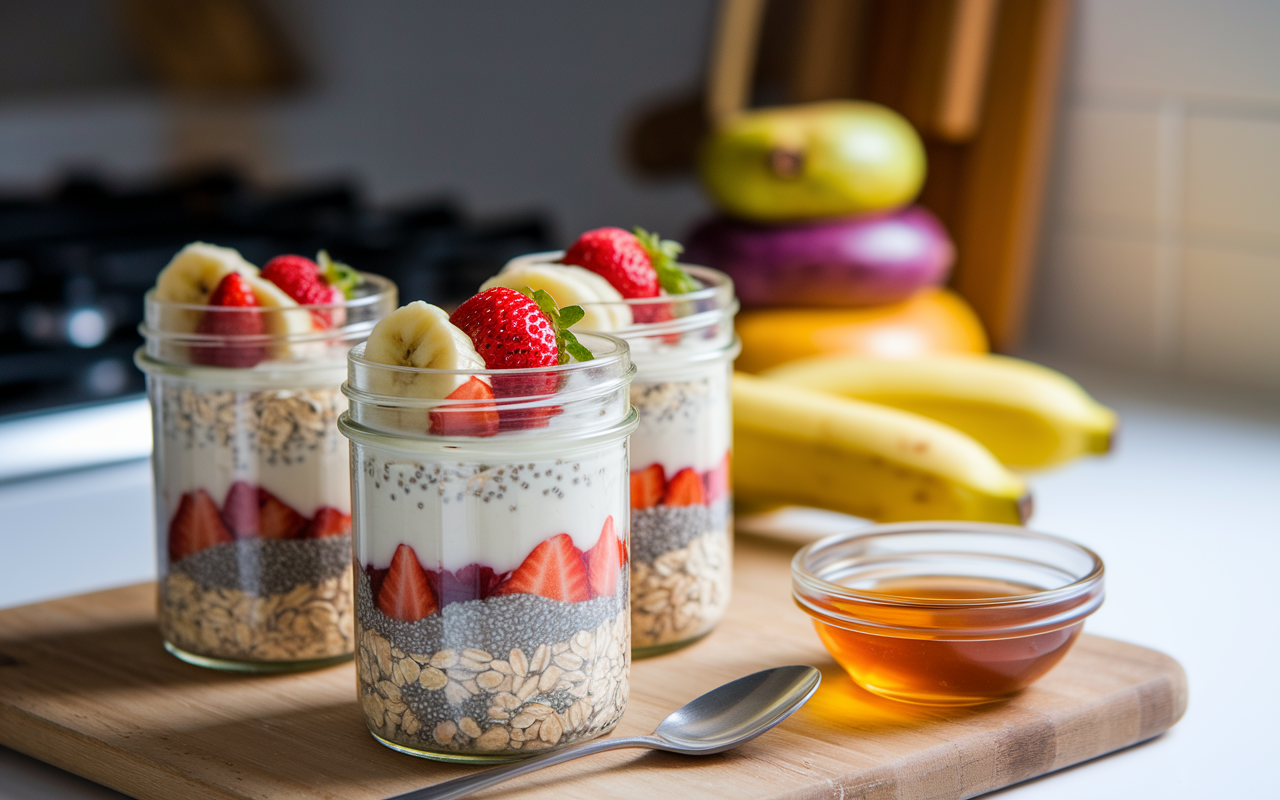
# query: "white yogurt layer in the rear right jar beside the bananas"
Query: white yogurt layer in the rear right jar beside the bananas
{"points": [[683, 423]]}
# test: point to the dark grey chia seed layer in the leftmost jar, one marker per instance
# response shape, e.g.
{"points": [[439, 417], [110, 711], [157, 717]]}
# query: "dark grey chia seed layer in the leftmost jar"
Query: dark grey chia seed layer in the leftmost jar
{"points": [[264, 568]]}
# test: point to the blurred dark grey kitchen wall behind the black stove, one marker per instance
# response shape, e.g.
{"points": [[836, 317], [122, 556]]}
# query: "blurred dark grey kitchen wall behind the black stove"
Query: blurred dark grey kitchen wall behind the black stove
{"points": [[505, 104]]}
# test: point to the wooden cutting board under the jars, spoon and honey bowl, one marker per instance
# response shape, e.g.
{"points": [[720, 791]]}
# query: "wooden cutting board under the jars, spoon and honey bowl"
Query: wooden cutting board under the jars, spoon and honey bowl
{"points": [[85, 685]]}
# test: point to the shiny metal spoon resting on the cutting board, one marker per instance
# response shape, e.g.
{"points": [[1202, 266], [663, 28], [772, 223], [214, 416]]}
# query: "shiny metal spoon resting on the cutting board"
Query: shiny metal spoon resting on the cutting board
{"points": [[720, 720]]}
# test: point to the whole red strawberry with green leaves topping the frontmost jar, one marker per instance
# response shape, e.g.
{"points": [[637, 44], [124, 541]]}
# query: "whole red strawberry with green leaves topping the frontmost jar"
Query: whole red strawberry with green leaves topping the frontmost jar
{"points": [[511, 331]]}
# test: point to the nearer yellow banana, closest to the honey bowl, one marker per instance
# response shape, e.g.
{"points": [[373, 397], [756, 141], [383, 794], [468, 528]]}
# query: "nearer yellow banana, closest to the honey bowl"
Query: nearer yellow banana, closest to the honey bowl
{"points": [[804, 447]]}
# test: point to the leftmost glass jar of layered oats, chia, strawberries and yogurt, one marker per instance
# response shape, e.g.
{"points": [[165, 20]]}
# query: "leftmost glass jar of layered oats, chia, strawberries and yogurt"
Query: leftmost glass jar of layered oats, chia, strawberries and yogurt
{"points": [[253, 488]]}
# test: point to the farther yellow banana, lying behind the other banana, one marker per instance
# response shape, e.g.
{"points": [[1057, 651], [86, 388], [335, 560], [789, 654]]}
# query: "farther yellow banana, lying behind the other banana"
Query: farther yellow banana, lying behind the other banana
{"points": [[1026, 414]]}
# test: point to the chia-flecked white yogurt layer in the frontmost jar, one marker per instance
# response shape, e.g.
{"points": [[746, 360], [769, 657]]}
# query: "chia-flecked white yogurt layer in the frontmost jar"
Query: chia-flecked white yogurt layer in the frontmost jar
{"points": [[458, 514]]}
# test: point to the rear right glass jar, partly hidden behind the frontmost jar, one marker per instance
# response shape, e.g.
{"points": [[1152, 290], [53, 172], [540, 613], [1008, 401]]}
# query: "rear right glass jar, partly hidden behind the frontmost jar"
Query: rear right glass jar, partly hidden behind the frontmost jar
{"points": [[682, 505]]}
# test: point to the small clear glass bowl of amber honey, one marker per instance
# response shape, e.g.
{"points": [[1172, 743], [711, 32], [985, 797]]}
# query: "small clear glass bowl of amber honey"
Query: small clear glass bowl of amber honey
{"points": [[947, 614]]}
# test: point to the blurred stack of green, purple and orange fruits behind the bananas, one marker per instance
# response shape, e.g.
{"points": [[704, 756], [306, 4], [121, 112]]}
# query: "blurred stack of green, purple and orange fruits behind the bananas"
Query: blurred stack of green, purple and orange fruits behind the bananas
{"points": [[817, 216]]}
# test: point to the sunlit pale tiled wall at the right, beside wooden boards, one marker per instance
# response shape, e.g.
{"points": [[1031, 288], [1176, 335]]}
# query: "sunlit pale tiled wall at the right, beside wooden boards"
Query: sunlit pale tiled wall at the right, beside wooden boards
{"points": [[1163, 232]]}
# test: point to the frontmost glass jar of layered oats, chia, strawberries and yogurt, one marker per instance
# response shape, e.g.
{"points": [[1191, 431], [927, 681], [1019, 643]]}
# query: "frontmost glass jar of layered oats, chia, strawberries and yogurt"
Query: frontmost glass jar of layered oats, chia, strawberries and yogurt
{"points": [[492, 616]]}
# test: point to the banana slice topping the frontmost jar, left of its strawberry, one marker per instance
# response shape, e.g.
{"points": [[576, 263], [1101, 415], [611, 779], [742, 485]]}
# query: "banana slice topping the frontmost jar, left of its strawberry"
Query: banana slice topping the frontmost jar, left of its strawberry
{"points": [[420, 336]]}
